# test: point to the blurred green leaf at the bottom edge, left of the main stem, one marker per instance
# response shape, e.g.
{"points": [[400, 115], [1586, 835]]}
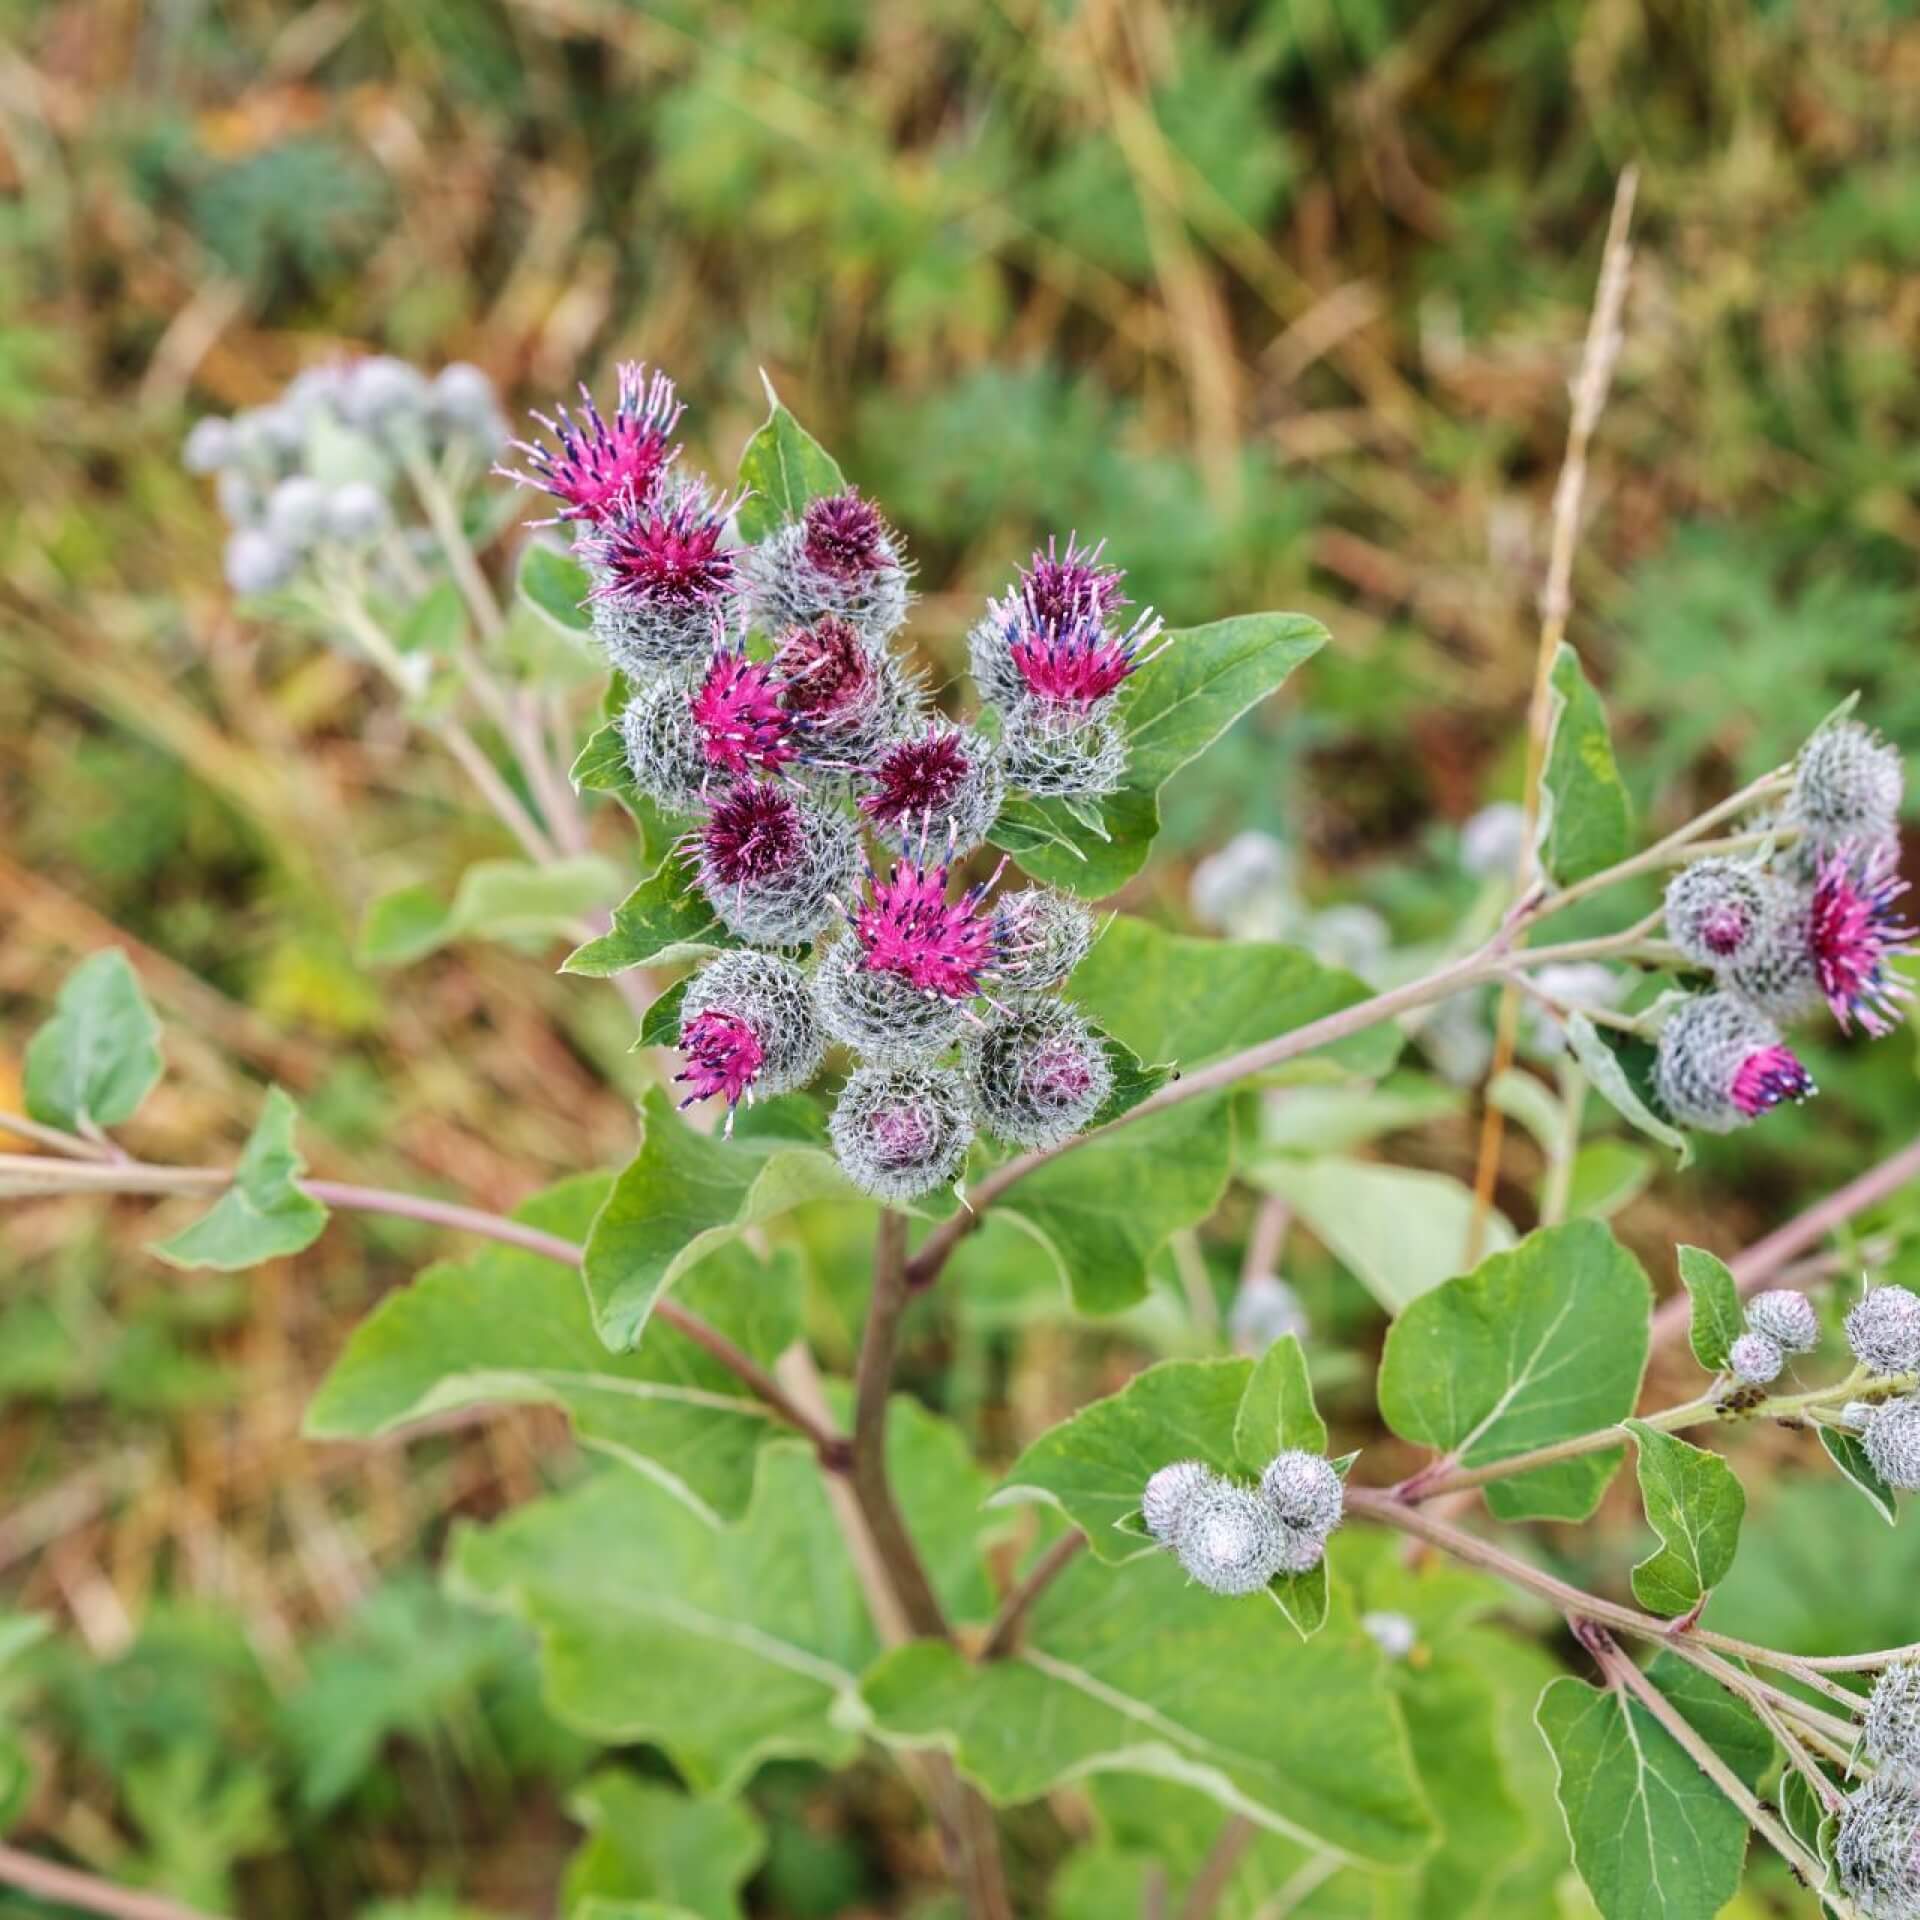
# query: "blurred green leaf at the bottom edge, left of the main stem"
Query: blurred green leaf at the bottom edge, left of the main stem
{"points": [[648, 1842]]}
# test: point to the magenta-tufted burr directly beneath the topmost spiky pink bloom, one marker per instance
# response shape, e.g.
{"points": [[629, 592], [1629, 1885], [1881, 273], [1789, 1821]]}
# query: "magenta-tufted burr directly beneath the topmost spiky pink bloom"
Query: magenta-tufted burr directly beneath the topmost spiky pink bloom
{"points": [[661, 573]]}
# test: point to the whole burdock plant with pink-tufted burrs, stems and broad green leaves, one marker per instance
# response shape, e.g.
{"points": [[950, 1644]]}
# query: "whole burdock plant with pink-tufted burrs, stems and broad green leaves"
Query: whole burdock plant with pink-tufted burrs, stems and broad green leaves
{"points": [[915, 1074]]}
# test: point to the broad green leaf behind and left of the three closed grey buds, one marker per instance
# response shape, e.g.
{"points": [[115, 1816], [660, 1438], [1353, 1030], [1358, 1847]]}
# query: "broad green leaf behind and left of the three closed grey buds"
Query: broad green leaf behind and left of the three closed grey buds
{"points": [[1095, 1464]]}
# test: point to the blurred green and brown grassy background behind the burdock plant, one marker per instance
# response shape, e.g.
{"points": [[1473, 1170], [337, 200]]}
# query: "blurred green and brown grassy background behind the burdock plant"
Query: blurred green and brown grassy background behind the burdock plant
{"points": [[1278, 297]]}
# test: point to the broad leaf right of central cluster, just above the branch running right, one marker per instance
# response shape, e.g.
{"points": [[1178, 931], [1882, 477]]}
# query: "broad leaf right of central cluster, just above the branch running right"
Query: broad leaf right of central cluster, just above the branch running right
{"points": [[1191, 1001]]}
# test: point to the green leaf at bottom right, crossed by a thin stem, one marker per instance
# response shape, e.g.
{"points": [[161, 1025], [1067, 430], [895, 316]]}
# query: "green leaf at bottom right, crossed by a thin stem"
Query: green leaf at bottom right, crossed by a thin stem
{"points": [[1652, 1836]]}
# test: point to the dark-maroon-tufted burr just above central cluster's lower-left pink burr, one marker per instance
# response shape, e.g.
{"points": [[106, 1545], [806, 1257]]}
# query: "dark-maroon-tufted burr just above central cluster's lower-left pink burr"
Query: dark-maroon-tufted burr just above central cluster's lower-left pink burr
{"points": [[773, 863]]}
